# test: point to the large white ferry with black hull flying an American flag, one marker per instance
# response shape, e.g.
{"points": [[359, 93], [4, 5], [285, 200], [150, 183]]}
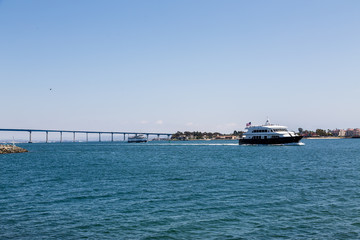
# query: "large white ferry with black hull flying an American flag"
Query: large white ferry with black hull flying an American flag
{"points": [[268, 134]]}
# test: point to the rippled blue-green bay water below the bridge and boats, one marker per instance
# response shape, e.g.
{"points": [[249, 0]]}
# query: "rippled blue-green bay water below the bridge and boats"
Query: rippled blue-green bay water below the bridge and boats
{"points": [[181, 190]]}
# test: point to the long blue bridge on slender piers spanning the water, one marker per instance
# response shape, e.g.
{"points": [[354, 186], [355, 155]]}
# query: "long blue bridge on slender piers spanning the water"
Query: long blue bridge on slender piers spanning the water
{"points": [[30, 131]]}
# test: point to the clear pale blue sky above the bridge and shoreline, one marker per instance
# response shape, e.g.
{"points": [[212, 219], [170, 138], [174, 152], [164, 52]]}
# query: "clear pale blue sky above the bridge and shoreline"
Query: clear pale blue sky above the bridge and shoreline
{"points": [[159, 65]]}
